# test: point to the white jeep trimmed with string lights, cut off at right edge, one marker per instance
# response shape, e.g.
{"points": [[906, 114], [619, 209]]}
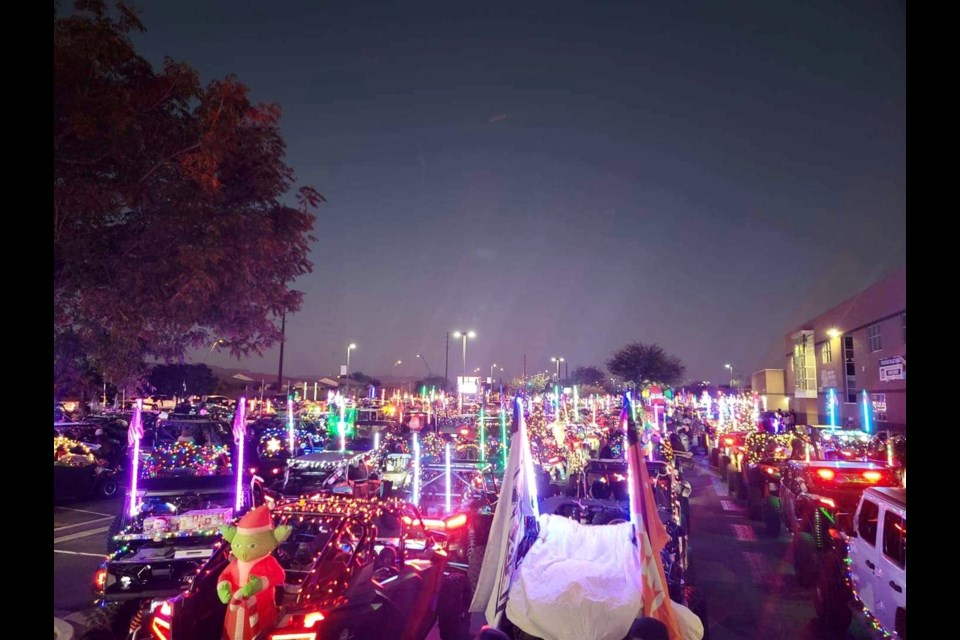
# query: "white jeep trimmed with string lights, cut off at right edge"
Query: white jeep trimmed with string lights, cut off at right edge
{"points": [[870, 579]]}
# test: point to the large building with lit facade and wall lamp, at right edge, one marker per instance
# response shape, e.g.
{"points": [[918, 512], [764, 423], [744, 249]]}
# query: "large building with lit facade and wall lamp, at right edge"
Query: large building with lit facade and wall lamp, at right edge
{"points": [[857, 346]]}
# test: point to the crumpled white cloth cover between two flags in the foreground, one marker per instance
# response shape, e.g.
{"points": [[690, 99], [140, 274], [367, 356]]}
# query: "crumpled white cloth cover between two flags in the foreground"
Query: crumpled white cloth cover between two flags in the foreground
{"points": [[581, 582]]}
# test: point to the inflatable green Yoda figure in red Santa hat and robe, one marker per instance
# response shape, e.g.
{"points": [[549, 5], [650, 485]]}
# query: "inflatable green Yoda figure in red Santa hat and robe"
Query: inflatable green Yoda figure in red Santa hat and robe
{"points": [[246, 586]]}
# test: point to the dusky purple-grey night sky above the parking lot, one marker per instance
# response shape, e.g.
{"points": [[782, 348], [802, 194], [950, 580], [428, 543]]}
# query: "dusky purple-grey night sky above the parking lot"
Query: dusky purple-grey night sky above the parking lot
{"points": [[567, 177]]}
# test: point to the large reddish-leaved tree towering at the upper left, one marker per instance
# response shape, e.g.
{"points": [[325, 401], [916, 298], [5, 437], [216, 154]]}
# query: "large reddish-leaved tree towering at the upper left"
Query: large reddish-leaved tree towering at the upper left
{"points": [[169, 229]]}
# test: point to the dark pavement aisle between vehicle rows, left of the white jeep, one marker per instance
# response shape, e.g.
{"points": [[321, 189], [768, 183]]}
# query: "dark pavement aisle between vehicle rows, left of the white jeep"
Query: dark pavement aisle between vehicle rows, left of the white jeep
{"points": [[747, 578]]}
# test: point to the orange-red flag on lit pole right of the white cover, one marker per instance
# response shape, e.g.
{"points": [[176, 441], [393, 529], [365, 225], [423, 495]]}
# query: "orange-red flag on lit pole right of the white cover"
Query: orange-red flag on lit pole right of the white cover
{"points": [[650, 532]]}
